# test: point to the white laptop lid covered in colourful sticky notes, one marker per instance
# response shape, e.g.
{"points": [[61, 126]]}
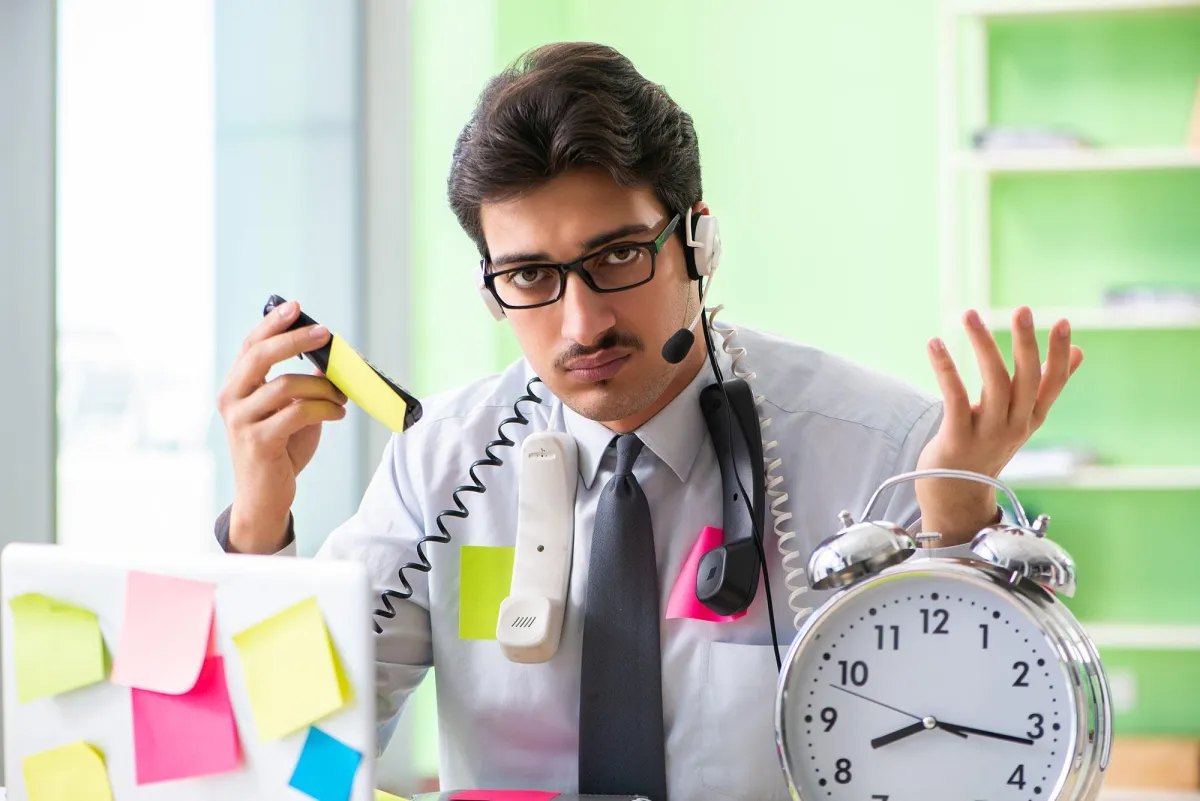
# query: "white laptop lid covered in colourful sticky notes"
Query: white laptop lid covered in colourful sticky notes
{"points": [[279, 697]]}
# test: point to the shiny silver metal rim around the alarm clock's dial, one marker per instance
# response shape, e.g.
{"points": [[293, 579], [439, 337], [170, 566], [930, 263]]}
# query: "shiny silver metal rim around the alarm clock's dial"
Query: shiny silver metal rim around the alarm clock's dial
{"points": [[1091, 740]]}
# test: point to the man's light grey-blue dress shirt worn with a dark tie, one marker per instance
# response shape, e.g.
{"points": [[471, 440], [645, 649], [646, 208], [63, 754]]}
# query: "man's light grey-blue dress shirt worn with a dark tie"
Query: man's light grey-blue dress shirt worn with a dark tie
{"points": [[841, 431]]}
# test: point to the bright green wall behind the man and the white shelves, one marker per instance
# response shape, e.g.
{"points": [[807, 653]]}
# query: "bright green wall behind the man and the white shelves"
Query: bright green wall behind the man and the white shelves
{"points": [[818, 128]]}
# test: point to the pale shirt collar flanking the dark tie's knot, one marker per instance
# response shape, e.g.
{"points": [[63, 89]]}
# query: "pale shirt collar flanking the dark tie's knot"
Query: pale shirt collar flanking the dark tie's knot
{"points": [[676, 435]]}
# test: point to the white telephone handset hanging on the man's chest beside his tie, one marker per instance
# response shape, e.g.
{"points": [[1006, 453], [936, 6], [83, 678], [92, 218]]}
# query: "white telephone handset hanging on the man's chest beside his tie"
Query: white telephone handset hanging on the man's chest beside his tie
{"points": [[531, 621]]}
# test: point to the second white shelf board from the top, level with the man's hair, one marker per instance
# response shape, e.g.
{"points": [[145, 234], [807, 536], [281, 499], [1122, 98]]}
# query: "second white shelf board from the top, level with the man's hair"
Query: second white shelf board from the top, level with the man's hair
{"points": [[1065, 160]]}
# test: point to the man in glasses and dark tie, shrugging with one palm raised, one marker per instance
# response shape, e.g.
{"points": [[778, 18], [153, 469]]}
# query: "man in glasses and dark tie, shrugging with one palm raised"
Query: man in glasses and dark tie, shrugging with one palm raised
{"points": [[575, 178]]}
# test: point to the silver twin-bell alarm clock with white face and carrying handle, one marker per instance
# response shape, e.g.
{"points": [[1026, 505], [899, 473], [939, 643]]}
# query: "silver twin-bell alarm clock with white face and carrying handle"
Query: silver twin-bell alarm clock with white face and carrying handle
{"points": [[943, 679]]}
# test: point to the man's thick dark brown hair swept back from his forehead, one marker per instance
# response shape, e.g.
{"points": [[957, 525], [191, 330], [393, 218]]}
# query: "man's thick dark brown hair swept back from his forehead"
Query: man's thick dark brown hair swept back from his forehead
{"points": [[566, 106]]}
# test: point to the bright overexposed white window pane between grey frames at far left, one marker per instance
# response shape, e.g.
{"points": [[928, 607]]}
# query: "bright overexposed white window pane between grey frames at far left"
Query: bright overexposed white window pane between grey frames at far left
{"points": [[135, 273]]}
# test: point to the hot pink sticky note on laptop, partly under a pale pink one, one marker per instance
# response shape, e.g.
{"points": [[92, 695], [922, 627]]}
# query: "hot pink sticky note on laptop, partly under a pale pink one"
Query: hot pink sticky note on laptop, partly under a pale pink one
{"points": [[181, 737]]}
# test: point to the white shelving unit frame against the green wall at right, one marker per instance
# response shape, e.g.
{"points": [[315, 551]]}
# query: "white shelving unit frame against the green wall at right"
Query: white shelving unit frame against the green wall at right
{"points": [[967, 180]]}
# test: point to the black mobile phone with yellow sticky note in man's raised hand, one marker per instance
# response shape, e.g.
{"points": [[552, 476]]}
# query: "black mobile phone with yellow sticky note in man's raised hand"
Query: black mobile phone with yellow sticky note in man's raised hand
{"points": [[357, 378]]}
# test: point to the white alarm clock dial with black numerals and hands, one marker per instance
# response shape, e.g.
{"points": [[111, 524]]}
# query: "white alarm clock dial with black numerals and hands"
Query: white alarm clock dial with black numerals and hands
{"points": [[928, 689]]}
